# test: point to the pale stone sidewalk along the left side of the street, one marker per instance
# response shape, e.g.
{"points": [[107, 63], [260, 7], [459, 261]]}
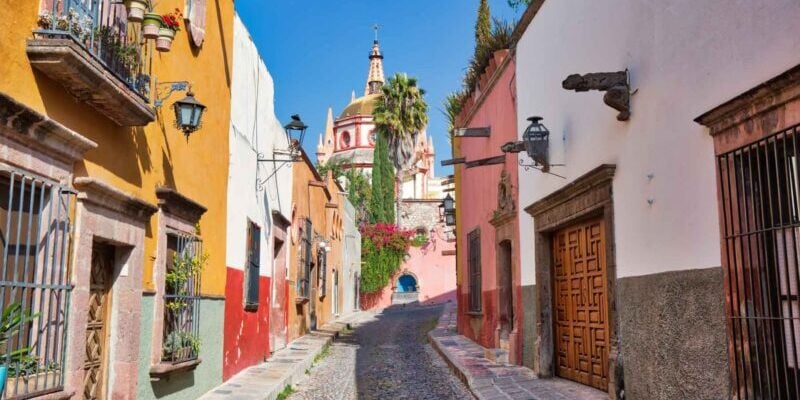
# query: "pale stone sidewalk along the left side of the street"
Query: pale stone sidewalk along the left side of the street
{"points": [[285, 367]]}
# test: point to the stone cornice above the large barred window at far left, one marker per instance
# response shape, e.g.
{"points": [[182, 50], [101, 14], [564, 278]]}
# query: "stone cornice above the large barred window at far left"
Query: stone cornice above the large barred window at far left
{"points": [[38, 132]]}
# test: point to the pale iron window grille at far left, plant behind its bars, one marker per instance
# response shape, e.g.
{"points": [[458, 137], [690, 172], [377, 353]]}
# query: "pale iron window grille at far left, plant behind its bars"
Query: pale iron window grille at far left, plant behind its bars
{"points": [[35, 233]]}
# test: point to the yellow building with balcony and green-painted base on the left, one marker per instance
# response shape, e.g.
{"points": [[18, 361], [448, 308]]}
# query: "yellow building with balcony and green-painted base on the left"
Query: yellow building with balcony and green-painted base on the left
{"points": [[113, 221]]}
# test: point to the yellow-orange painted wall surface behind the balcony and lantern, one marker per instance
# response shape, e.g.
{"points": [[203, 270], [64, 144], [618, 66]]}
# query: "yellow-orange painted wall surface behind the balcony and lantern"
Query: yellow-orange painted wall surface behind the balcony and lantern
{"points": [[137, 160]]}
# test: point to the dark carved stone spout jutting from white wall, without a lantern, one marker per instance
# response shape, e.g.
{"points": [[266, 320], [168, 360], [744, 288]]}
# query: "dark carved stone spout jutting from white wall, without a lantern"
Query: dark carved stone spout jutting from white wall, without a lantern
{"points": [[615, 84]]}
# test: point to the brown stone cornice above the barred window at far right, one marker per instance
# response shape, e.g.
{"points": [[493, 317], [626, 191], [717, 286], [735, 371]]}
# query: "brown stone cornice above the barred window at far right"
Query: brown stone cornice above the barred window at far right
{"points": [[760, 99]]}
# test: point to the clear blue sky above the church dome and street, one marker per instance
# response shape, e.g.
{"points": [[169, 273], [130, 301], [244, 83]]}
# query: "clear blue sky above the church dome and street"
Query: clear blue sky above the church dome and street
{"points": [[316, 51]]}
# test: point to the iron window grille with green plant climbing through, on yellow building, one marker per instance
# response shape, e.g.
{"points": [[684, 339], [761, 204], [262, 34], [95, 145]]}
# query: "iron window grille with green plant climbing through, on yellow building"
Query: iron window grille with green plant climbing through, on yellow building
{"points": [[185, 259]]}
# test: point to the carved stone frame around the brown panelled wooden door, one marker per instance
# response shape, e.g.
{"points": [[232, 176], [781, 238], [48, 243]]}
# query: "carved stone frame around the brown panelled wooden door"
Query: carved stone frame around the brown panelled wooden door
{"points": [[587, 197]]}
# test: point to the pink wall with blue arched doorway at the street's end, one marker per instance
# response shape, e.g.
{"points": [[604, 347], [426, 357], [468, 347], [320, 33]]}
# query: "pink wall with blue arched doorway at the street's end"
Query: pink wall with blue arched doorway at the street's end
{"points": [[434, 270]]}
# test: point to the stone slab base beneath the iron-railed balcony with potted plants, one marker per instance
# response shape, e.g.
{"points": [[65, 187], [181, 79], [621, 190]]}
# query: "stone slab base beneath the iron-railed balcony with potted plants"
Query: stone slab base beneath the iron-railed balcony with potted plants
{"points": [[66, 62]]}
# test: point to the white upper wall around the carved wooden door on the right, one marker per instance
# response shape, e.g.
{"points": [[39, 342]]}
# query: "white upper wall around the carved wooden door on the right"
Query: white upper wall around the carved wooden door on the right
{"points": [[684, 57]]}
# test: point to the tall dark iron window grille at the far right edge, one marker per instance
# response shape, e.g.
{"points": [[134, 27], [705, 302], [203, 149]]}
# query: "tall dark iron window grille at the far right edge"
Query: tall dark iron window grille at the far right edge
{"points": [[760, 216]]}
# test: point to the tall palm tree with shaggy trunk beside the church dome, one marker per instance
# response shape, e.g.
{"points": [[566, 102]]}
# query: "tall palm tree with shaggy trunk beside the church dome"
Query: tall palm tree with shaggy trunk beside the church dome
{"points": [[400, 114]]}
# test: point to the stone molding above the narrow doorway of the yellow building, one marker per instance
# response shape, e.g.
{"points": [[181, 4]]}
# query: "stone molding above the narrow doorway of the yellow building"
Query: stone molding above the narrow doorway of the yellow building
{"points": [[98, 192]]}
